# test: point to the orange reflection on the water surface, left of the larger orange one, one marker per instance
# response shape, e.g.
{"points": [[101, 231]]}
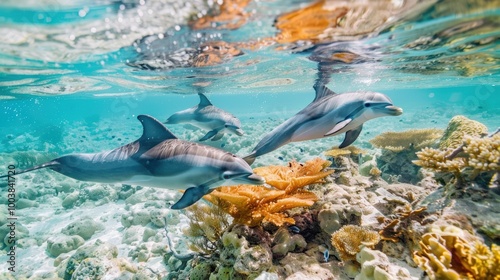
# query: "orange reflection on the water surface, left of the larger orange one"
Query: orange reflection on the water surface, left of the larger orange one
{"points": [[228, 15]]}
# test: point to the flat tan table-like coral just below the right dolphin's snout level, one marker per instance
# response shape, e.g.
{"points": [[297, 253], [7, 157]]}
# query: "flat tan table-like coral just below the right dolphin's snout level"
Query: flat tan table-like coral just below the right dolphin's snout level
{"points": [[413, 139]]}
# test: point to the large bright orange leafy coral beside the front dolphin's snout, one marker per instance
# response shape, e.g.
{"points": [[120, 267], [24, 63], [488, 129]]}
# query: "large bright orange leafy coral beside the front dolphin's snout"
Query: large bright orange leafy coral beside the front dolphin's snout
{"points": [[253, 205]]}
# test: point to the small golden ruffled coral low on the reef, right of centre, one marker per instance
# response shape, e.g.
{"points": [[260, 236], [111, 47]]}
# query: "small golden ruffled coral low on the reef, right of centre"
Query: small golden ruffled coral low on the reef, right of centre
{"points": [[349, 239]]}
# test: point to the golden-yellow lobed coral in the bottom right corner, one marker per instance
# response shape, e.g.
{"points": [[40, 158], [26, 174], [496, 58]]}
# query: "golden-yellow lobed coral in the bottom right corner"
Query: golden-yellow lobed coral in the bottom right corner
{"points": [[448, 253]]}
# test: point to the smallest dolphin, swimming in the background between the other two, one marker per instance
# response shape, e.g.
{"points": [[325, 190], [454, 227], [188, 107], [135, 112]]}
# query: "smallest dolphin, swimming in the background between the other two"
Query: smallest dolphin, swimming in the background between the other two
{"points": [[208, 117]]}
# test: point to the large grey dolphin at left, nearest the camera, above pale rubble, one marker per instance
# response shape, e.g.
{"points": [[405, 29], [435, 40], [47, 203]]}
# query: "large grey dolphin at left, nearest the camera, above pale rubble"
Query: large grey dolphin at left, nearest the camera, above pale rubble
{"points": [[158, 159]]}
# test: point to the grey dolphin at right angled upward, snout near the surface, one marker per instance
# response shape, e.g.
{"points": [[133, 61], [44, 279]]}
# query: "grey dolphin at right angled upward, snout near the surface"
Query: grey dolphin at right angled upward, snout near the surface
{"points": [[329, 114]]}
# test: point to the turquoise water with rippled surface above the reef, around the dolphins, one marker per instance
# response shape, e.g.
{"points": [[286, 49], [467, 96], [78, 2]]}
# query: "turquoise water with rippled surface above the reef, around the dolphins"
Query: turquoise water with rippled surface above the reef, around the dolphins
{"points": [[68, 82]]}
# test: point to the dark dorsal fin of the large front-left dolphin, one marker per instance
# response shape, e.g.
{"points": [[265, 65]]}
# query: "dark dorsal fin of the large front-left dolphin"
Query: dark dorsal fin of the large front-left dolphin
{"points": [[153, 131]]}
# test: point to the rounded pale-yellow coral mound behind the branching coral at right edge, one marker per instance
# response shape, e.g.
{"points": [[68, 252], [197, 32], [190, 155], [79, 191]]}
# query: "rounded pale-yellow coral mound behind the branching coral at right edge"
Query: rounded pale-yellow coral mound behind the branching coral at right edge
{"points": [[459, 127]]}
